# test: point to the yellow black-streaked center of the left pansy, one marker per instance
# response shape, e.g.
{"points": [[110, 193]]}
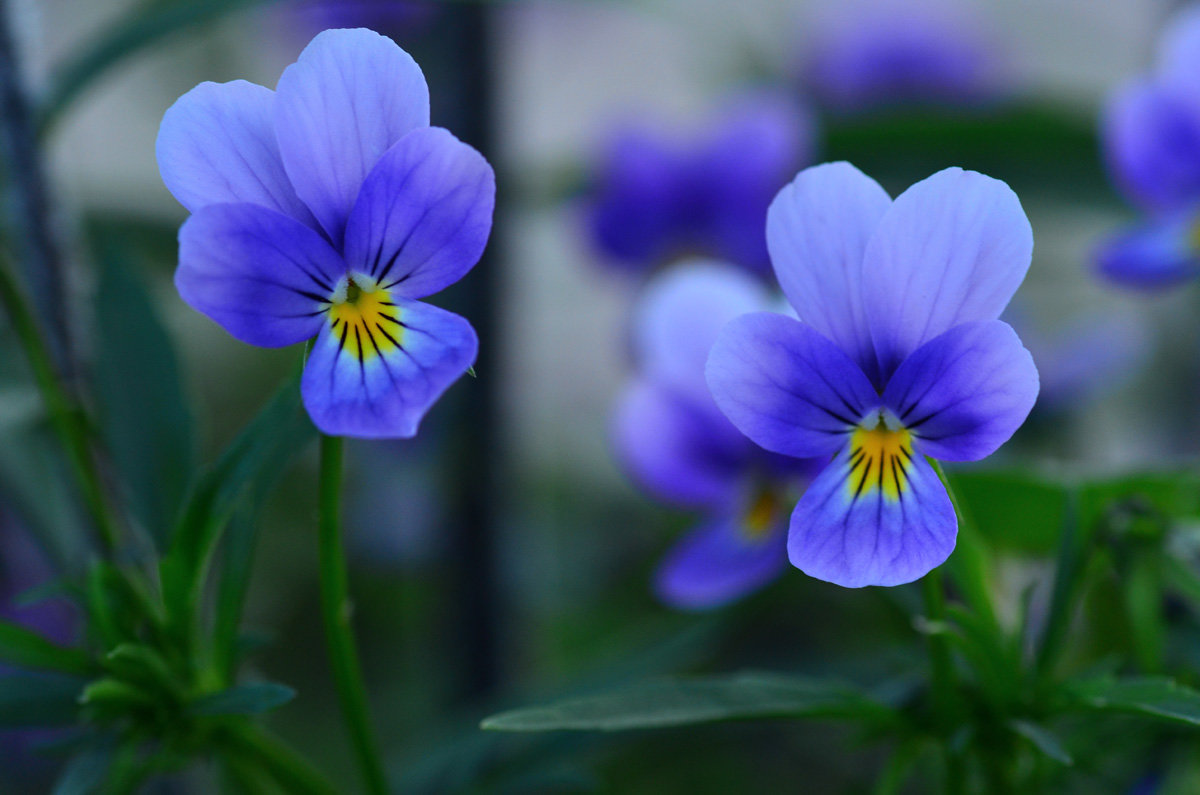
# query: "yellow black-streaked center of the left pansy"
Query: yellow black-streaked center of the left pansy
{"points": [[365, 320]]}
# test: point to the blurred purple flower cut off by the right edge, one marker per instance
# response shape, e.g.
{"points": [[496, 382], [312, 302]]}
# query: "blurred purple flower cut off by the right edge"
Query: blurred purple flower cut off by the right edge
{"points": [[1151, 136]]}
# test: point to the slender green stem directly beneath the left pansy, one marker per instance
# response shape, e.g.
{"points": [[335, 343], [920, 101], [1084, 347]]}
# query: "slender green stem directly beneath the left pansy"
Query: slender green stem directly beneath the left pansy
{"points": [[335, 608]]}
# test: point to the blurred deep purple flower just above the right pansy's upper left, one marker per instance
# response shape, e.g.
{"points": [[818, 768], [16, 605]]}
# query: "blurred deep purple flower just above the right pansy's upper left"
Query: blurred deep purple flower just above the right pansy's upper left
{"points": [[656, 199]]}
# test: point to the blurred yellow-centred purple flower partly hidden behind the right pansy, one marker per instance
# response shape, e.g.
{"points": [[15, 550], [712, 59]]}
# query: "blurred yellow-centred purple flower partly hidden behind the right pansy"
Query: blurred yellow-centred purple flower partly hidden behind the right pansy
{"points": [[679, 446]]}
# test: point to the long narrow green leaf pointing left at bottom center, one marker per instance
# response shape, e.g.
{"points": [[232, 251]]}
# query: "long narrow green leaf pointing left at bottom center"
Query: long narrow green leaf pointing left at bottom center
{"points": [[687, 702]]}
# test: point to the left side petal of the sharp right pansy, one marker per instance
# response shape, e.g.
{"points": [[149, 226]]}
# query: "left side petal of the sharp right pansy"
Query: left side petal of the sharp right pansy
{"points": [[787, 387]]}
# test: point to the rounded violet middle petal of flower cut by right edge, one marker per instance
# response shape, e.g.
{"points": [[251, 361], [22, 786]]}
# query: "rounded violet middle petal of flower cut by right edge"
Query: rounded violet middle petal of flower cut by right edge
{"points": [[1151, 140]]}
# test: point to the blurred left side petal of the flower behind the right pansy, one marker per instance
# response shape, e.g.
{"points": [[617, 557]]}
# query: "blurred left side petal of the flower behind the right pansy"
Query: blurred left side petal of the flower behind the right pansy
{"points": [[679, 451]]}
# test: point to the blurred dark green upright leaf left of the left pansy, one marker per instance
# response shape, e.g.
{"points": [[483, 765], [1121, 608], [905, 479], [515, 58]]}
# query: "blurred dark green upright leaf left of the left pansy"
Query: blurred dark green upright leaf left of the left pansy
{"points": [[143, 411]]}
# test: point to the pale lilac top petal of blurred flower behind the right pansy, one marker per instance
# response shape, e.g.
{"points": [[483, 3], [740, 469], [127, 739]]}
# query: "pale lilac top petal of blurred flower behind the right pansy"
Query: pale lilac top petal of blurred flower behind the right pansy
{"points": [[680, 315]]}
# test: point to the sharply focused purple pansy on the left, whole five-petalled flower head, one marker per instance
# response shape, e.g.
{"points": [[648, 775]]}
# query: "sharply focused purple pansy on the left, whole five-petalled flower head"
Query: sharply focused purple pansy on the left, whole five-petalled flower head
{"points": [[326, 210]]}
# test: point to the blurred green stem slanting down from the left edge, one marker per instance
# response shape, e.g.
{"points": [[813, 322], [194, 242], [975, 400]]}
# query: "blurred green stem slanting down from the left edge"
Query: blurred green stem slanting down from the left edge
{"points": [[67, 415]]}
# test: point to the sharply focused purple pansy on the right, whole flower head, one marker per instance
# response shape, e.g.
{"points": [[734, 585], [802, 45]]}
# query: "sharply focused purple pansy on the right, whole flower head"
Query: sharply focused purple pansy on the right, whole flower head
{"points": [[898, 356]]}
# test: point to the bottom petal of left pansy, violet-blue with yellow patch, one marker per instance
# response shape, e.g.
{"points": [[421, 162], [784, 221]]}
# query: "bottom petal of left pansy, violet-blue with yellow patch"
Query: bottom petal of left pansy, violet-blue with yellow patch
{"points": [[383, 386]]}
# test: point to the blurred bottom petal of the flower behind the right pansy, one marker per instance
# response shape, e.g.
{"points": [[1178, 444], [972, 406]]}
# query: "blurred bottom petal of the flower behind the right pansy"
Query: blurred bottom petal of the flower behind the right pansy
{"points": [[717, 564]]}
